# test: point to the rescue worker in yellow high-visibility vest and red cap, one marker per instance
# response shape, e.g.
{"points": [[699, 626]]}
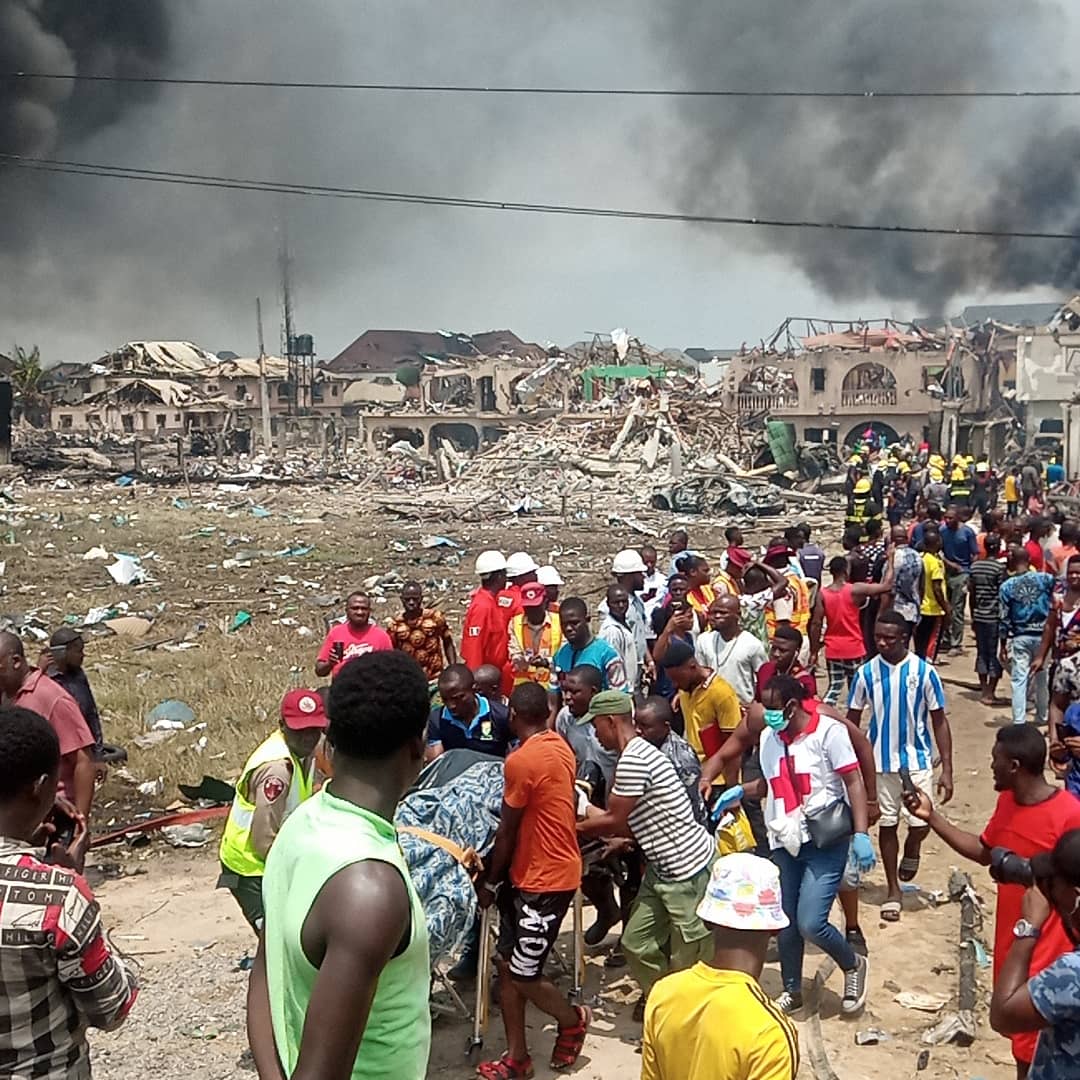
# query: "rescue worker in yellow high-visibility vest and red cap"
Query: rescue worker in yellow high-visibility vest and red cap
{"points": [[276, 780]]}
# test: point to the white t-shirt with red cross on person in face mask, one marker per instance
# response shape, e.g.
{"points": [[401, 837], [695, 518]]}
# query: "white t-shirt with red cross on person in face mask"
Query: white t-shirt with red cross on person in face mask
{"points": [[808, 773]]}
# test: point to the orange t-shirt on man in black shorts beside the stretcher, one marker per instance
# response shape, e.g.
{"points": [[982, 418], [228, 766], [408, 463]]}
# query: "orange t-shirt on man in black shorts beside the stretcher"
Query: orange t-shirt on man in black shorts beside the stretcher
{"points": [[539, 780]]}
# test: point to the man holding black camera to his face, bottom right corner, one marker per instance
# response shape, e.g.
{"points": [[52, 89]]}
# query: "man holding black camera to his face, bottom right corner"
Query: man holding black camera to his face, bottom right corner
{"points": [[1047, 1004]]}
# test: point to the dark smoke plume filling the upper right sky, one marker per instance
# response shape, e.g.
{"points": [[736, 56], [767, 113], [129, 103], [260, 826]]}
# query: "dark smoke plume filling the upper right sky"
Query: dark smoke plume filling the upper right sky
{"points": [[960, 164]]}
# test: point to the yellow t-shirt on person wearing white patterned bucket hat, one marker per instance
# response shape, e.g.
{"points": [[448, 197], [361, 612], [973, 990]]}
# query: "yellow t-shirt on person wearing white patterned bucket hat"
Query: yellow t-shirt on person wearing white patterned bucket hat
{"points": [[705, 1023]]}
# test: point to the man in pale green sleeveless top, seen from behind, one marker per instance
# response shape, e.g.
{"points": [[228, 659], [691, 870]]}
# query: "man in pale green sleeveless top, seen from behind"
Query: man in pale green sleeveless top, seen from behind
{"points": [[345, 939]]}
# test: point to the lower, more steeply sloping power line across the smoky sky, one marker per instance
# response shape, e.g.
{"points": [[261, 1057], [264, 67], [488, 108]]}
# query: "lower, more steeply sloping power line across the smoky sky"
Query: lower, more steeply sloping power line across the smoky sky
{"points": [[325, 192]]}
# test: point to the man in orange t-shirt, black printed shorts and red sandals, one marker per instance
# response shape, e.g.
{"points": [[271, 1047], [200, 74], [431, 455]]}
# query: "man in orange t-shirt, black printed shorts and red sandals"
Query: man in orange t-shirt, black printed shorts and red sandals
{"points": [[537, 844]]}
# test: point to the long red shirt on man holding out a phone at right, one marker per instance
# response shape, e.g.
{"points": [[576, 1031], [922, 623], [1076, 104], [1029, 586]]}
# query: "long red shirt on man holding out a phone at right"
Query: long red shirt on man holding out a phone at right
{"points": [[1028, 831]]}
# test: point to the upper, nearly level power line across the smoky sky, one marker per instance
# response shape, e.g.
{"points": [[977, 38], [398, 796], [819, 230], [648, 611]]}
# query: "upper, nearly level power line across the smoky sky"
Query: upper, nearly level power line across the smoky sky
{"points": [[538, 91]]}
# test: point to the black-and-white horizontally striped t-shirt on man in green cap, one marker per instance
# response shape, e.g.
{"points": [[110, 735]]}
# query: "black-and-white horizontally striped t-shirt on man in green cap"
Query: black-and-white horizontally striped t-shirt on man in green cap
{"points": [[663, 822]]}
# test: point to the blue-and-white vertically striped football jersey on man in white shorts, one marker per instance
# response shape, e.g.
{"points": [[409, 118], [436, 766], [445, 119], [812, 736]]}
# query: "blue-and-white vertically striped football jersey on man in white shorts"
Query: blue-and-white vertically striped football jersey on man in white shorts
{"points": [[901, 698]]}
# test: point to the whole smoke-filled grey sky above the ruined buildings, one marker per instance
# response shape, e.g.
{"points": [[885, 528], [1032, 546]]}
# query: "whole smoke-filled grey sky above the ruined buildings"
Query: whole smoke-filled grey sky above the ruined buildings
{"points": [[87, 264]]}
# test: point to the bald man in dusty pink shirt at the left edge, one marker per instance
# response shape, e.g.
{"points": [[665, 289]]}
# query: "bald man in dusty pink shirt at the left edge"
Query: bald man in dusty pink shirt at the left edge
{"points": [[32, 688]]}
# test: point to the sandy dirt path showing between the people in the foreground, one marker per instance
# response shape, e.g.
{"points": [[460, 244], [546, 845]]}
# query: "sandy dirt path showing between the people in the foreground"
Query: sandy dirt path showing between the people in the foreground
{"points": [[190, 1020]]}
